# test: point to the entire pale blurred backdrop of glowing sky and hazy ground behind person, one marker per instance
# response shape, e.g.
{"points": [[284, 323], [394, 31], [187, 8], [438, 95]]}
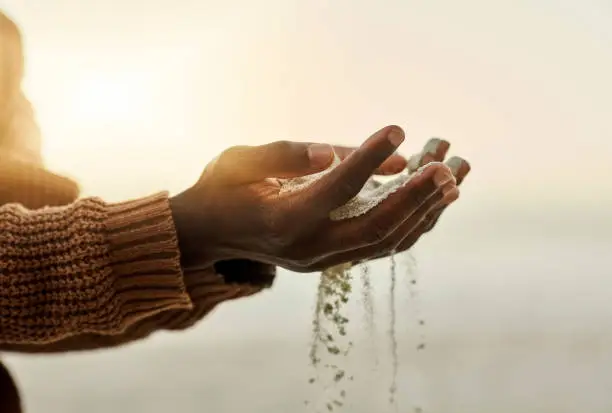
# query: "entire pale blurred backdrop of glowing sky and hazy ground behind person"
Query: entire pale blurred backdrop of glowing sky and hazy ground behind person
{"points": [[514, 284]]}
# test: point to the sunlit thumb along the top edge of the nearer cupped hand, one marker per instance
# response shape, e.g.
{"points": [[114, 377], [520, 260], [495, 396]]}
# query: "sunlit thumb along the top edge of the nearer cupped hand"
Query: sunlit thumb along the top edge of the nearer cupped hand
{"points": [[282, 159]]}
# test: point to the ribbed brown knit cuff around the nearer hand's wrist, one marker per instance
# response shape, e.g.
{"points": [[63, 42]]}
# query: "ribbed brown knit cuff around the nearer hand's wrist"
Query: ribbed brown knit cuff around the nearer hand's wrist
{"points": [[145, 258]]}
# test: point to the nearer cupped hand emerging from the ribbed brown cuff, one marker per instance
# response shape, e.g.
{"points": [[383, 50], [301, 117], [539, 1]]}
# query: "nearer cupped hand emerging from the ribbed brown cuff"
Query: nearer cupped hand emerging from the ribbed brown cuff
{"points": [[235, 211]]}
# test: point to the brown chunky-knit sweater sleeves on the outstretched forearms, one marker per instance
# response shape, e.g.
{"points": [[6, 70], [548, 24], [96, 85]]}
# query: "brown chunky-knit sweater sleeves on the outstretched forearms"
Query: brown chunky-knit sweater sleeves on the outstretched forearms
{"points": [[95, 274]]}
